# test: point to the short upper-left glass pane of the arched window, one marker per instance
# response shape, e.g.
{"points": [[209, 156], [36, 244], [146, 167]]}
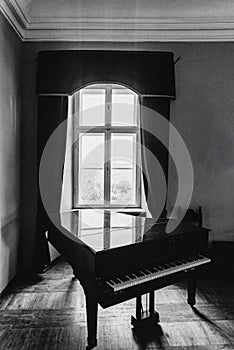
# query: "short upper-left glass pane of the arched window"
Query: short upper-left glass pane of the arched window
{"points": [[92, 107]]}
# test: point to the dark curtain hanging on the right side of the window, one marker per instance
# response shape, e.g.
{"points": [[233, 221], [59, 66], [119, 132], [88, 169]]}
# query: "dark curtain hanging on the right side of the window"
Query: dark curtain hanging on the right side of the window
{"points": [[153, 111]]}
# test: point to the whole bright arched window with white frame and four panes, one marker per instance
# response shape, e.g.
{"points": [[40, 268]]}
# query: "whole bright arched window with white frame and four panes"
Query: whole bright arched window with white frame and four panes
{"points": [[106, 153]]}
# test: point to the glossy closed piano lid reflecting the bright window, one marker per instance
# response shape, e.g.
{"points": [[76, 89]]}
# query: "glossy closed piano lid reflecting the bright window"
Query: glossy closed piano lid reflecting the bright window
{"points": [[102, 229]]}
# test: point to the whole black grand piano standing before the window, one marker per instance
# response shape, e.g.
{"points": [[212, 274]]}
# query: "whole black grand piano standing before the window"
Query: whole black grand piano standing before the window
{"points": [[117, 257]]}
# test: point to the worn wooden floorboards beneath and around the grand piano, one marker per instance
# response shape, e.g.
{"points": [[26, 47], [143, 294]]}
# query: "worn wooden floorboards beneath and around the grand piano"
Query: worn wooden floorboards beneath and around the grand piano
{"points": [[48, 312]]}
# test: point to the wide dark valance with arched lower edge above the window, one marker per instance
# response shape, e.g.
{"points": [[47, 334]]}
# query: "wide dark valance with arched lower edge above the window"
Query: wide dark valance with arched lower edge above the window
{"points": [[64, 72]]}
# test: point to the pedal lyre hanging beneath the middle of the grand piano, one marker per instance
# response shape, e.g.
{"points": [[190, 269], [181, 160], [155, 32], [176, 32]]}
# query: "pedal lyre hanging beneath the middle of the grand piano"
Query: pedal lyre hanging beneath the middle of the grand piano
{"points": [[145, 319]]}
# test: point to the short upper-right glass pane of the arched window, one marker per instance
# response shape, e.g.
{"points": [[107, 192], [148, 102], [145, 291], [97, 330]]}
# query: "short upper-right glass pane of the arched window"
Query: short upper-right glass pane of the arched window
{"points": [[123, 107]]}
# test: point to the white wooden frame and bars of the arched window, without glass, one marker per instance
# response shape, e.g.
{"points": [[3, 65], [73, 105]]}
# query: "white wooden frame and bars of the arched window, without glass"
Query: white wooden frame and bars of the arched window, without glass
{"points": [[107, 129]]}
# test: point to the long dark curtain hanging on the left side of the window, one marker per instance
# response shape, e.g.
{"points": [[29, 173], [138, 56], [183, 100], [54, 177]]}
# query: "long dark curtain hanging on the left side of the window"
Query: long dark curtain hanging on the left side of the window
{"points": [[52, 111]]}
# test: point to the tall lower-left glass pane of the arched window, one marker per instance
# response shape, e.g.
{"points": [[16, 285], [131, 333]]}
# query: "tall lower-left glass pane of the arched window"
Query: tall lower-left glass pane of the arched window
{"points": [[91, 174]]}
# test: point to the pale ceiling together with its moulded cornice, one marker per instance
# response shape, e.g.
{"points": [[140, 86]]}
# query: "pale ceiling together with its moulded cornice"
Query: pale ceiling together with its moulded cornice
{"points": [[121, 20]]}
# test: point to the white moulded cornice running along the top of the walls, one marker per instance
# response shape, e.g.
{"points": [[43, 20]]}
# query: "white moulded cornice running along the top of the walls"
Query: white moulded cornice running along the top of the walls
{"points": [[178, 29]]}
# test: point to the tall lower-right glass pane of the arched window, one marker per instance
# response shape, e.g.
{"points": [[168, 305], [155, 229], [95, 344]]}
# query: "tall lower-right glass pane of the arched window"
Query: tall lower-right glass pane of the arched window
{"points": [[123, 169]]}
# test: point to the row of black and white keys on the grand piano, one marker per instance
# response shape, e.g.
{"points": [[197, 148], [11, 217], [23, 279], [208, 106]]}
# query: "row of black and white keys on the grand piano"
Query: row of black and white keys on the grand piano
{"points": [[149, 274]]}
